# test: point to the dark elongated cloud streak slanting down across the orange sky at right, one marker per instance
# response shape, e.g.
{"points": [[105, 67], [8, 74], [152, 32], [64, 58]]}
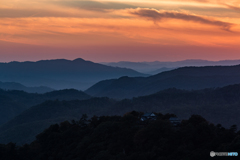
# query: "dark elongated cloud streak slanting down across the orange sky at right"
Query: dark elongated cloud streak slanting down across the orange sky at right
{"points": [[157, 16]]}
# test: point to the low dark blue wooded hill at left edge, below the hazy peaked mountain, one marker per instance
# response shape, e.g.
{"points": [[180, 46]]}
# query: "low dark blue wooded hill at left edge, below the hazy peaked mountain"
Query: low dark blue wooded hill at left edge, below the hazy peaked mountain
{"points": [[14, 102]]}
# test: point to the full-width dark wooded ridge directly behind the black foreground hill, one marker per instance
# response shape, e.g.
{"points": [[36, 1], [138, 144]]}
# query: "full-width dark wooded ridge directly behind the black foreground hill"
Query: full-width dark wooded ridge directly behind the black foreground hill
{"points": [[219, 105]]}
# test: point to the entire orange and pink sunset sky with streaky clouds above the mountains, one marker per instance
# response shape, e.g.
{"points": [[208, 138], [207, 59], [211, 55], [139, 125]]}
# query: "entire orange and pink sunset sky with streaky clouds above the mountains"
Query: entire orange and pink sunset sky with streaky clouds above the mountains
{"points": [[119, 30]]}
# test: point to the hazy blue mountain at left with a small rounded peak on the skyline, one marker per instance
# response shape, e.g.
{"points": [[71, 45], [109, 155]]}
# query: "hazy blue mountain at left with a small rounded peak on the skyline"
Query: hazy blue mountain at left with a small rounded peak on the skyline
{"points": [[61, 73]]}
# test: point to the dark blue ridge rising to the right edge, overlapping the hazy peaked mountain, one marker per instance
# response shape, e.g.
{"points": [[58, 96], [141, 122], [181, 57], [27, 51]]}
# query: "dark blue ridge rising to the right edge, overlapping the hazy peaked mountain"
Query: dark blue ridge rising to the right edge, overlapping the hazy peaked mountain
{"points": [[182, 78]]}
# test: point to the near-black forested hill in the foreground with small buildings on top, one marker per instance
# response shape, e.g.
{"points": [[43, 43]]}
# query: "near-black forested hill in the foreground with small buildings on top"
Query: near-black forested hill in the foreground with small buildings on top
{"points": [[127, 138]]}
